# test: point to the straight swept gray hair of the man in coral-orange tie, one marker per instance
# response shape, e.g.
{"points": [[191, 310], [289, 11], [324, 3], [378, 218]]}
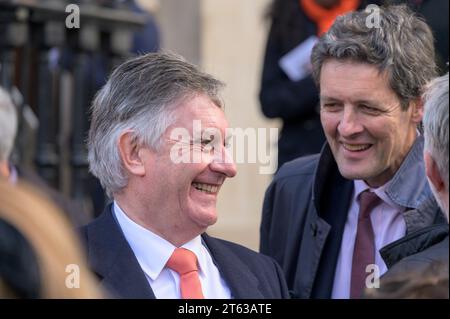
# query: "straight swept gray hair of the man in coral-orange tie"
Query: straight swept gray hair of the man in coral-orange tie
{"points": [[141, 95]]}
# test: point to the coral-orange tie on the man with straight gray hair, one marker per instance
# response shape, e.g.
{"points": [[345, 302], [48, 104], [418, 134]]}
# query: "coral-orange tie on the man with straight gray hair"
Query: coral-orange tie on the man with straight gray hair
{"points": [[184, 262]]}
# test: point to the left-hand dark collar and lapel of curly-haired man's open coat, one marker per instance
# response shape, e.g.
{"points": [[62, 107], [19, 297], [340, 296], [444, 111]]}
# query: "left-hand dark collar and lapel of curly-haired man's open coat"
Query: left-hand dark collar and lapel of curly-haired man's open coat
{"points": [[321, 241]]}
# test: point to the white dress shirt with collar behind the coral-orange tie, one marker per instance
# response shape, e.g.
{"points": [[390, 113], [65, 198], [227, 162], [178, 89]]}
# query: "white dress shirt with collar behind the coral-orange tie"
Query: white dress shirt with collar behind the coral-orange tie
{"points": [[153, 252]]}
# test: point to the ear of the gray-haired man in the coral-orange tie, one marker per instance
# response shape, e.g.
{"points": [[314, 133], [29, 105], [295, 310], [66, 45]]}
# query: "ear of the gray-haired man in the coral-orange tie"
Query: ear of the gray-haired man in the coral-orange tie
{"points": [[130, 153]]}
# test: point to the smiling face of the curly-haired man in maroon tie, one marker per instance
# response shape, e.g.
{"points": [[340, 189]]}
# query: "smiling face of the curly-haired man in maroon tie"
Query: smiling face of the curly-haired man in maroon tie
{"points": [[368, 132]]}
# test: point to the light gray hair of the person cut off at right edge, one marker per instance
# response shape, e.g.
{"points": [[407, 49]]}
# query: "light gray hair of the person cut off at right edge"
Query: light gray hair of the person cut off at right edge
{"points": [[435, 123]]}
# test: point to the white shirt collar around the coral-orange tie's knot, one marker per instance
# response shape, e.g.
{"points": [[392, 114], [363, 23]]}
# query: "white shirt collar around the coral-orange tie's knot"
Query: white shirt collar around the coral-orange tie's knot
{"points": [[151, 250]]}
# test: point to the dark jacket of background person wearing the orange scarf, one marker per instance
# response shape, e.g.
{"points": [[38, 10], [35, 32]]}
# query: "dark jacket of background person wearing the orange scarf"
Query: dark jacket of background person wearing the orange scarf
{"points": [[296, 103]]}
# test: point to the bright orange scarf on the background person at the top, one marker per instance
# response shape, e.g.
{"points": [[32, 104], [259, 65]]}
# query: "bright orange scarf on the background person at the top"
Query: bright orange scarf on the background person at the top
{"points": [[324, 18]]}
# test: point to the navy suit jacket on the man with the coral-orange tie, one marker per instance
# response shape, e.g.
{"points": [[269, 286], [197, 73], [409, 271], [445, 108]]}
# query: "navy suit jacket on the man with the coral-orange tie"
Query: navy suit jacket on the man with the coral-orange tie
{"points": [[248, 274]]}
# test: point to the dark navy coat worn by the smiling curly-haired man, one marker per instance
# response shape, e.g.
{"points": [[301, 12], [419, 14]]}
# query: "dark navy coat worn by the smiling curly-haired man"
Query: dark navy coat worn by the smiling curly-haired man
{"points": [[305, 211]]}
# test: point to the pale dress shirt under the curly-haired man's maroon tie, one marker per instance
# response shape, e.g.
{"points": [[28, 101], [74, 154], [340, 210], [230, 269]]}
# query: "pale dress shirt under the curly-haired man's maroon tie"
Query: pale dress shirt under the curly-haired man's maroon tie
{"points": [[388, 226]]}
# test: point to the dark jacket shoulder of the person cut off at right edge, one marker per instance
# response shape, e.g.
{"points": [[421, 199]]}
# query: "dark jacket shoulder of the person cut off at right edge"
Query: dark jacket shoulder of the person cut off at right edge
{"points": [[423, 246]]}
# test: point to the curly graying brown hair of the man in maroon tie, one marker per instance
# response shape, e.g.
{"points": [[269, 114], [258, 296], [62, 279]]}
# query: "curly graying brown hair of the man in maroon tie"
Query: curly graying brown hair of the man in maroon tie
{"points": [[402, 46]]}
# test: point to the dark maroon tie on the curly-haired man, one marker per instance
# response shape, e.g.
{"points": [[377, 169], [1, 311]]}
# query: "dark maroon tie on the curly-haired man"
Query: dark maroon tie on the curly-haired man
{"points": [[364, 251]]}
